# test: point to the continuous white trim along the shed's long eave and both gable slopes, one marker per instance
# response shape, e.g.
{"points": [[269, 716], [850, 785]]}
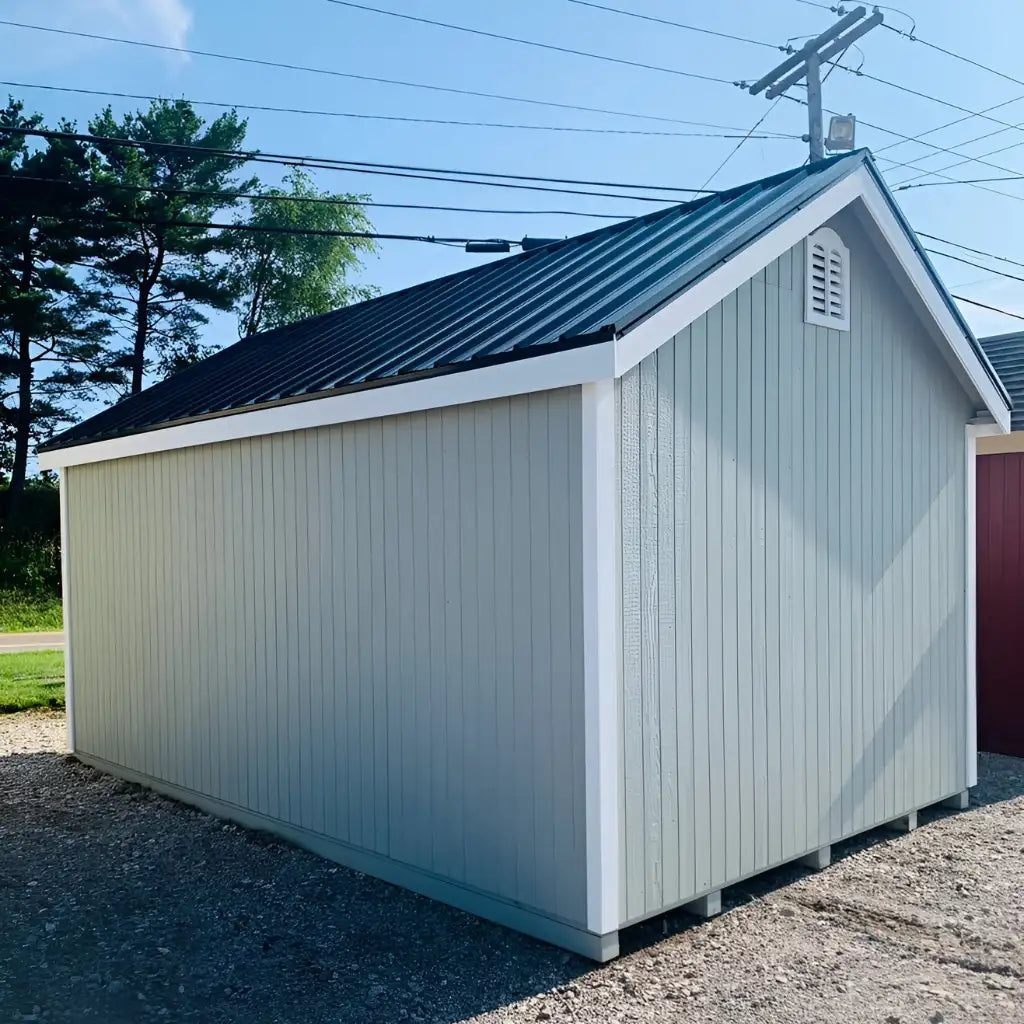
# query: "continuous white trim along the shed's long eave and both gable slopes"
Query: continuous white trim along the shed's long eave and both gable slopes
{"points": [[589, 363]]}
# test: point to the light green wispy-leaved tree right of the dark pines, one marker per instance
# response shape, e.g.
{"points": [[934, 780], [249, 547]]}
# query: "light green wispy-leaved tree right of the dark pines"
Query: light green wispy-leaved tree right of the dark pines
{"points": [[283, 278]]}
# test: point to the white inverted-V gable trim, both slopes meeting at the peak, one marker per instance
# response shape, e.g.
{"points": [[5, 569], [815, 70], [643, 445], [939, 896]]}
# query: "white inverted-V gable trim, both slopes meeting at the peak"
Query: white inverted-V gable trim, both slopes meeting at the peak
{"points": [[636, 345]]}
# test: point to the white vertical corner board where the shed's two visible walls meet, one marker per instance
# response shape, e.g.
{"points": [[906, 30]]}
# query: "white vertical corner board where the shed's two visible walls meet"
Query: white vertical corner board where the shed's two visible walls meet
{"points": [[601, 598]]}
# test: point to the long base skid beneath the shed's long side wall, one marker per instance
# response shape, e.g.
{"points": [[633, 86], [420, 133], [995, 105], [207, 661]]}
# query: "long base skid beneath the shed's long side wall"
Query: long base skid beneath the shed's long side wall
{"points": [[559, 933]]}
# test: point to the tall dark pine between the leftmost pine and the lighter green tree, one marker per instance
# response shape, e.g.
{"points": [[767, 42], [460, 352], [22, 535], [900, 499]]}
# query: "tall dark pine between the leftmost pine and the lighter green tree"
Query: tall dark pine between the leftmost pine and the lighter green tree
{"points": [[162, 275]]}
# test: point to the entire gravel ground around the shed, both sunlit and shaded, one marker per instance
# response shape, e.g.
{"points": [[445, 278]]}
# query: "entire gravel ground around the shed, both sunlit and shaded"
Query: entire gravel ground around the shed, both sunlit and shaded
{"points": [[118, 906]]}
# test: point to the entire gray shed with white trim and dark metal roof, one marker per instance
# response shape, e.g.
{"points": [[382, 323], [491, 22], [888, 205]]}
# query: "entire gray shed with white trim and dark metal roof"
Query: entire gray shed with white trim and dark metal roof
{"points": [[569, 589]]}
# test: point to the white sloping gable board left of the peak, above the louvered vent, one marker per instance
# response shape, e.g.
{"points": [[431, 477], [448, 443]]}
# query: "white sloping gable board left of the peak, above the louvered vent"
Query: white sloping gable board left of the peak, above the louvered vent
{"points": [[635, 346]]}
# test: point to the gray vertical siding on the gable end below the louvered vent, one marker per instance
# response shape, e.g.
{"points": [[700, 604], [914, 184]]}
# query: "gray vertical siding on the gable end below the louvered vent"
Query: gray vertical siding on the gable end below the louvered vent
{"points": [[793, 575]]}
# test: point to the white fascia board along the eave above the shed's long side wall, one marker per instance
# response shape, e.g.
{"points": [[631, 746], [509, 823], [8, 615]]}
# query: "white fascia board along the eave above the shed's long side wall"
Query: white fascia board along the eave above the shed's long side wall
{"points": [[541, 373]]}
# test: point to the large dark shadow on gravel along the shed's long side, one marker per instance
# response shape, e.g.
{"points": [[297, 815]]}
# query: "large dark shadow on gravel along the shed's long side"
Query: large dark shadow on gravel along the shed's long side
{"points": [[121, 906]]}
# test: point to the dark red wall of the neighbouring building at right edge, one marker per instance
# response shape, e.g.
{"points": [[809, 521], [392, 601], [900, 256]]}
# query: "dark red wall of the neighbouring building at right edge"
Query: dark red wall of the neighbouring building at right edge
{"points": [[1001, 604]]}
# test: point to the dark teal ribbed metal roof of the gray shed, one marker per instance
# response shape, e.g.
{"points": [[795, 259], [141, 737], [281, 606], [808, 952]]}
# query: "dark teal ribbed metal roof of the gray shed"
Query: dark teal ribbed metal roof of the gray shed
{"points": [[570, 293]]}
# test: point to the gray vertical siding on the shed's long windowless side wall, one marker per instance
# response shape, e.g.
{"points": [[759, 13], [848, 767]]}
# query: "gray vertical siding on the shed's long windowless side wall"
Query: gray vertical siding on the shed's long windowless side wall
{"points": [[371, 632]]}
